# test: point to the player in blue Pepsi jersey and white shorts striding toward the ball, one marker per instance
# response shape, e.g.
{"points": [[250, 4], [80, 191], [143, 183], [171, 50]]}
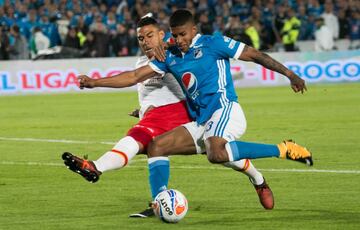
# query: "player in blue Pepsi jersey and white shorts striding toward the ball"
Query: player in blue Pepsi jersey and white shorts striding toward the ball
{"points": [[201, 65]]}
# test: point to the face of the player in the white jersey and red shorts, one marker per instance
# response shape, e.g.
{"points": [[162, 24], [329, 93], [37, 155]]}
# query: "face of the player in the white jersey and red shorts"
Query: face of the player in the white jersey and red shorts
{"points": [[149, 37]]}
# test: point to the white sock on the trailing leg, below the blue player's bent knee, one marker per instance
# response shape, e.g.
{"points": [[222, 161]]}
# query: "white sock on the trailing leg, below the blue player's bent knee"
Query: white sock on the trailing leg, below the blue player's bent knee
{"points": [[245, 166]]}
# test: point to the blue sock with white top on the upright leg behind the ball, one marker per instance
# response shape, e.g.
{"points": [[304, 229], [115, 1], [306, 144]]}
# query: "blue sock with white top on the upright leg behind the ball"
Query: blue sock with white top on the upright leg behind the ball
{"points": [[159, 172]]}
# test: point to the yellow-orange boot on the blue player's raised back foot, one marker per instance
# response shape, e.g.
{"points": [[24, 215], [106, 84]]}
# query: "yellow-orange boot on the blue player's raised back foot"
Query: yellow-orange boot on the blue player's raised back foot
{"points": [[292, 151]]}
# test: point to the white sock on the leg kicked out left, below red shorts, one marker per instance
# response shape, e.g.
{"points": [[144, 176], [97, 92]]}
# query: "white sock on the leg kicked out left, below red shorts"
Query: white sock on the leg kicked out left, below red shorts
{"points": [[119, 156]]}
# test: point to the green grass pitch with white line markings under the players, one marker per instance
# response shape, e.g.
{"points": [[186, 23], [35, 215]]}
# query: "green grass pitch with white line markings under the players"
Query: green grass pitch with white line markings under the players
{"points": [[38, 192]]}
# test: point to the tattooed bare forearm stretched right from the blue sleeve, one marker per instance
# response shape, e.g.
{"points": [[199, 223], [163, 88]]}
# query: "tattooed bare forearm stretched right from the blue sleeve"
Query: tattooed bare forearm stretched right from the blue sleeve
{"points": [[253, 55]]}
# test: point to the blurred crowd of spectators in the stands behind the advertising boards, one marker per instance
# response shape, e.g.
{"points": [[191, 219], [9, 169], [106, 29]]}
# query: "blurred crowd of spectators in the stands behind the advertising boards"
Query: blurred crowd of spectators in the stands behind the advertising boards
{"points": [[107, 28]]}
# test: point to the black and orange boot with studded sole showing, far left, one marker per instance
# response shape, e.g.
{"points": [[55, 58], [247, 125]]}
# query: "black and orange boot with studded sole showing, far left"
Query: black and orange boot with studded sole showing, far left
{"points": [[81, 166]]}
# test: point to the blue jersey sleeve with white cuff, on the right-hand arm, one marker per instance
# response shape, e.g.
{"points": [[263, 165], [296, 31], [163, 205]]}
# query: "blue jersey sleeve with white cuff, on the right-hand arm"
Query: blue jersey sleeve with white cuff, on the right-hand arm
{"points": [[226, 47]]}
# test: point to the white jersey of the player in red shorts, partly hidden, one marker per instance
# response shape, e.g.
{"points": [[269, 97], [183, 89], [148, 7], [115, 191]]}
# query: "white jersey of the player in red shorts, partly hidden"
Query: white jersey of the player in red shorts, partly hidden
{"points": [[159, 90]]}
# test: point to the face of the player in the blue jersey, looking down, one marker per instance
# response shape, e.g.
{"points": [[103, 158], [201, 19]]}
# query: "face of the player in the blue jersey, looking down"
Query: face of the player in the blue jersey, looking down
{"points": [[183, 35]]}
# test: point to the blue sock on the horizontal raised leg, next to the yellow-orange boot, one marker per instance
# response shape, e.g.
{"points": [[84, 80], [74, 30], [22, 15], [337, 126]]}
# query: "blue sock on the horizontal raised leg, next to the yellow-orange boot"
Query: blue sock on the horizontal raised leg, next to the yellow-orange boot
{"points": [[247, 150]]}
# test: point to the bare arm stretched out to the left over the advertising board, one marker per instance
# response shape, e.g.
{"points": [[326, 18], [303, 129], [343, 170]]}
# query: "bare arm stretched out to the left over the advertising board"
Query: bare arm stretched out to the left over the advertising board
{"points": [[124, 79]]}
